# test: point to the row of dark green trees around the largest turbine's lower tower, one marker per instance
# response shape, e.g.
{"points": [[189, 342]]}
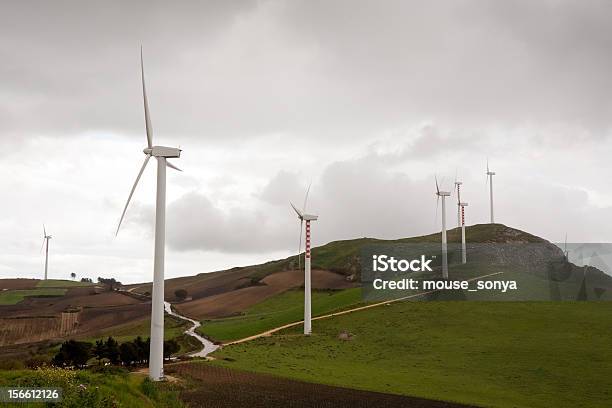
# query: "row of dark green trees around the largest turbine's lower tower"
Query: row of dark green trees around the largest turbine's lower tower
{"points": [[74, 353]]}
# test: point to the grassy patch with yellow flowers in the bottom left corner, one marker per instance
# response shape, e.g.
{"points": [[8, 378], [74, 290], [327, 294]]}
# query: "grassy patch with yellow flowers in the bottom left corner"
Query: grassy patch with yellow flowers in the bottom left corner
{"points": [[89, 389]]}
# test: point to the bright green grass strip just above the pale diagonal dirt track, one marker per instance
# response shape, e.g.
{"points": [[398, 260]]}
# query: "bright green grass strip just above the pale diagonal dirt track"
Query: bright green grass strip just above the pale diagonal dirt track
{"points": [[279, 310]]}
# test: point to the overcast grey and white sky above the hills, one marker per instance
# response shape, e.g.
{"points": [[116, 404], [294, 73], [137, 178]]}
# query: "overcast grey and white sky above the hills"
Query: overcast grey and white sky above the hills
{"points": [[367, 100]]}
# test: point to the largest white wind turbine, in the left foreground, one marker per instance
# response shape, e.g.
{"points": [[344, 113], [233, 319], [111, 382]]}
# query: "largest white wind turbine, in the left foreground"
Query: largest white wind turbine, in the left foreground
{"points": [[161, 153]]}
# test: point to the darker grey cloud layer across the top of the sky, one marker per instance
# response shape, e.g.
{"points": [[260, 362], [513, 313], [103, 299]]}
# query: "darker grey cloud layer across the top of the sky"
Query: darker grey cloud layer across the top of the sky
{"points": [[341, 68]]}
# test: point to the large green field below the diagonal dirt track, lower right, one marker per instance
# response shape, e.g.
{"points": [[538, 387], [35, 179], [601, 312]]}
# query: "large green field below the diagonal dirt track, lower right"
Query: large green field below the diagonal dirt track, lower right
{"points": [[515, 354]]}
